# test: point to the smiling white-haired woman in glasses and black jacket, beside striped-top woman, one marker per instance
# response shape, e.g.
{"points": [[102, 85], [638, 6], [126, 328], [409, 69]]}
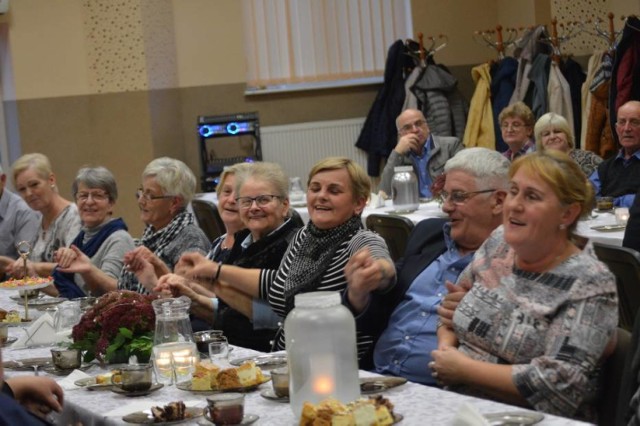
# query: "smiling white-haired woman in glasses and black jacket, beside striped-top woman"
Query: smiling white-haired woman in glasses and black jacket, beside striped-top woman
{"points": [[263, 205]]}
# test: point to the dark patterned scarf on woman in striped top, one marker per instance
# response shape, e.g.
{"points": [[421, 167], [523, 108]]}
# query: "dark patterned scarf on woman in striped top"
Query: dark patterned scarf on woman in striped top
{"points": [[314, 257]]}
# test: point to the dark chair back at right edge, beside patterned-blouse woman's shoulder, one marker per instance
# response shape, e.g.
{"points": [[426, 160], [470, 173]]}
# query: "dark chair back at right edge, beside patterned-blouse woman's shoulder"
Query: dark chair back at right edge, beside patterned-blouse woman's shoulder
{"points": [[624, 263]]}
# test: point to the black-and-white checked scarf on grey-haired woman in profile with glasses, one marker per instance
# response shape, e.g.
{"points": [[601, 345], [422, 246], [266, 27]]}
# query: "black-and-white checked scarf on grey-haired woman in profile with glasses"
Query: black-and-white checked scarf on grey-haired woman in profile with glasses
{"points": [[155, 241]]}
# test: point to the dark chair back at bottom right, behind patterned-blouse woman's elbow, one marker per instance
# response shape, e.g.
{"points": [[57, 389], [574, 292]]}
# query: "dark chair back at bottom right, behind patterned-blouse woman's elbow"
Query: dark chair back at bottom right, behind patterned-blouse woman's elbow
{"points": [[611, 376]]}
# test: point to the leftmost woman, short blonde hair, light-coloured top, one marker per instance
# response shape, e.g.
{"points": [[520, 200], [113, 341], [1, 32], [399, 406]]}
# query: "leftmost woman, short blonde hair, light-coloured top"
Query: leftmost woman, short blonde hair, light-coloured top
{"points": [[36, 184]]}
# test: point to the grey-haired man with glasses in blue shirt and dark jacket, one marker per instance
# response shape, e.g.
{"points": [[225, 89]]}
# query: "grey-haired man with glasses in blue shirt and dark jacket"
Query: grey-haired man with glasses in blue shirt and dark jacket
{"points": [[437, 252]]}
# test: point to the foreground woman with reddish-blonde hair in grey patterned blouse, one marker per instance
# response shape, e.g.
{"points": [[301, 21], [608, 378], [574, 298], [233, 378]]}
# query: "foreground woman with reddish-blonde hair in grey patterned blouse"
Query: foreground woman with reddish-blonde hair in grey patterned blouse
{"points": [[539, 313]]}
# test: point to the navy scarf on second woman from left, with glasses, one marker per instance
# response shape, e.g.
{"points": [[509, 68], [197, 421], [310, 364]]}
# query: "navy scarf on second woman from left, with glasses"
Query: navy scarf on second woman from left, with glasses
{"points": [[65, 282]]}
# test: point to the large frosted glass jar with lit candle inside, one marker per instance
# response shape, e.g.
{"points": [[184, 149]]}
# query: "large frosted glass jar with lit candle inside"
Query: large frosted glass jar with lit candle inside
{"points": [[320, 336]]}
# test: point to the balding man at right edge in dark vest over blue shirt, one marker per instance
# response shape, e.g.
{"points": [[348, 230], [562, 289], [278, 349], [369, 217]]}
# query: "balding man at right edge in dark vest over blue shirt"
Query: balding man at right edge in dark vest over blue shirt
{"points": [[619, 176]]}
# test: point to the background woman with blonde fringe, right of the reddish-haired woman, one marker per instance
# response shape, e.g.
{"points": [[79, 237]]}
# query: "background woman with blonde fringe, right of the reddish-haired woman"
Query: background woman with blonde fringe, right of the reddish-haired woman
{"points": [[552, 131]]}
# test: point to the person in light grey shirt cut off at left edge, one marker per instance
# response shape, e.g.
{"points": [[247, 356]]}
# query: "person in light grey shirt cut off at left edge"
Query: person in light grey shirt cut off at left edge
{"points": [[17, 223]]}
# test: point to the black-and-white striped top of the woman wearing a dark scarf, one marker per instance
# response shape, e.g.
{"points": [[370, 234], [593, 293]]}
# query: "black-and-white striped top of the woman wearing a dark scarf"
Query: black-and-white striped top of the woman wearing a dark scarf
{"points": [[272, 281]]}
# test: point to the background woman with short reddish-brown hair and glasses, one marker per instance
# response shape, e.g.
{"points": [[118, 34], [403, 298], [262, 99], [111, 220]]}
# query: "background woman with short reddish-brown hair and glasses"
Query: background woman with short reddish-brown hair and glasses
{"points": [[516, 124]]}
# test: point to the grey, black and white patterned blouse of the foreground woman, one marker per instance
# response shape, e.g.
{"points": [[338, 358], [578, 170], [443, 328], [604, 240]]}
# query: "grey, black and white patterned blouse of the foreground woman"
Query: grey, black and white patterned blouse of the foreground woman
{"points": [[551, 327]]}
